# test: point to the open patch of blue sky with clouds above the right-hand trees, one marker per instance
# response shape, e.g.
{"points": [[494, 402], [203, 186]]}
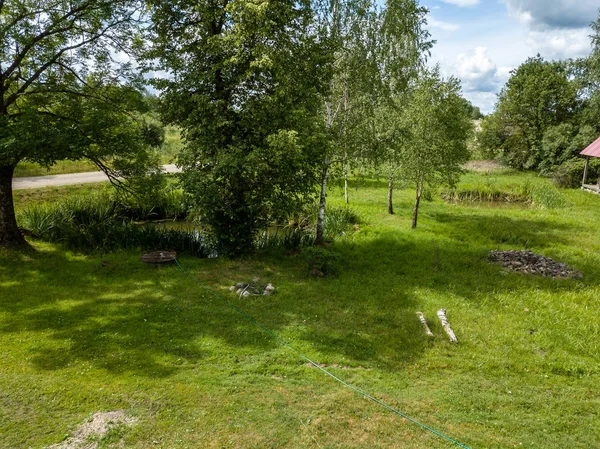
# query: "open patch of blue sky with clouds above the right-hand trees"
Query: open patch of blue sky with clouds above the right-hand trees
{"points": [[481, 41]]}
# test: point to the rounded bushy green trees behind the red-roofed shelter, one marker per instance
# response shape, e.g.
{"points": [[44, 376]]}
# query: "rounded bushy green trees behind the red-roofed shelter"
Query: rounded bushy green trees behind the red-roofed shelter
{"points": [[546, 113]]}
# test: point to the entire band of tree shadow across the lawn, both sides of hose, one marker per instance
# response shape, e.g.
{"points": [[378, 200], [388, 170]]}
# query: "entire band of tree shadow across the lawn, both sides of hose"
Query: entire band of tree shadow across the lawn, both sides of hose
{"points": [[126, 317]]}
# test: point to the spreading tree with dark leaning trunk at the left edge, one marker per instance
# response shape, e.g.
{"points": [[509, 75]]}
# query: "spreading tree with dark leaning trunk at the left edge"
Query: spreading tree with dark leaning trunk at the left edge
{"points": [[60, 87]]}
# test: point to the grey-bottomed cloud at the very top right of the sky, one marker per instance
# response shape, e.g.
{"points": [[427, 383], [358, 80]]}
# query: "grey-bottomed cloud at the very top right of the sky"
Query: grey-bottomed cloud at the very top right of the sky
{"points": [[544, 14]]}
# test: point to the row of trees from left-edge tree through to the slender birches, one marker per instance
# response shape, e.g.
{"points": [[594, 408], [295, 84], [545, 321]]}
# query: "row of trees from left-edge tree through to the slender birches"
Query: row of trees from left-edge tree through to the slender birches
{"points": [[270, 97]]}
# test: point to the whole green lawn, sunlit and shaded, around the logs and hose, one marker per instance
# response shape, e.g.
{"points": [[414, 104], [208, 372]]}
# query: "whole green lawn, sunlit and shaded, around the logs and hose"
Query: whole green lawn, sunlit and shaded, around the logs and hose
{"points": [[82, 334]]}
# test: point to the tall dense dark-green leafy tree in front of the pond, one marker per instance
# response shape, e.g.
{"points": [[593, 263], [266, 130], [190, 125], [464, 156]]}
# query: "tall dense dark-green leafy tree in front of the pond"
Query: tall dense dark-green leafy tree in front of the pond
{"points": [[245, 79]]}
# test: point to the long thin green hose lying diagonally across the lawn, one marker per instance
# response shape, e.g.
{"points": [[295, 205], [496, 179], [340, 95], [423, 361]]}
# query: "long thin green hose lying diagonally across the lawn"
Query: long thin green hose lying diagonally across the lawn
{"points": [[316, 365]]}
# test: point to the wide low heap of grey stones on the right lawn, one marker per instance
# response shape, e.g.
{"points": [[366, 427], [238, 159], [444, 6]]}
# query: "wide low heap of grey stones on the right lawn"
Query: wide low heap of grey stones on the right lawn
{"points": [[531, 263]]}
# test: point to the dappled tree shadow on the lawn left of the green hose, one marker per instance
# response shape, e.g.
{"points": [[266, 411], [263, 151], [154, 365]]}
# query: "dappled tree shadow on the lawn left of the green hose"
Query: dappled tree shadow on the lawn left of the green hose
{"points": [[123, 317]]}
